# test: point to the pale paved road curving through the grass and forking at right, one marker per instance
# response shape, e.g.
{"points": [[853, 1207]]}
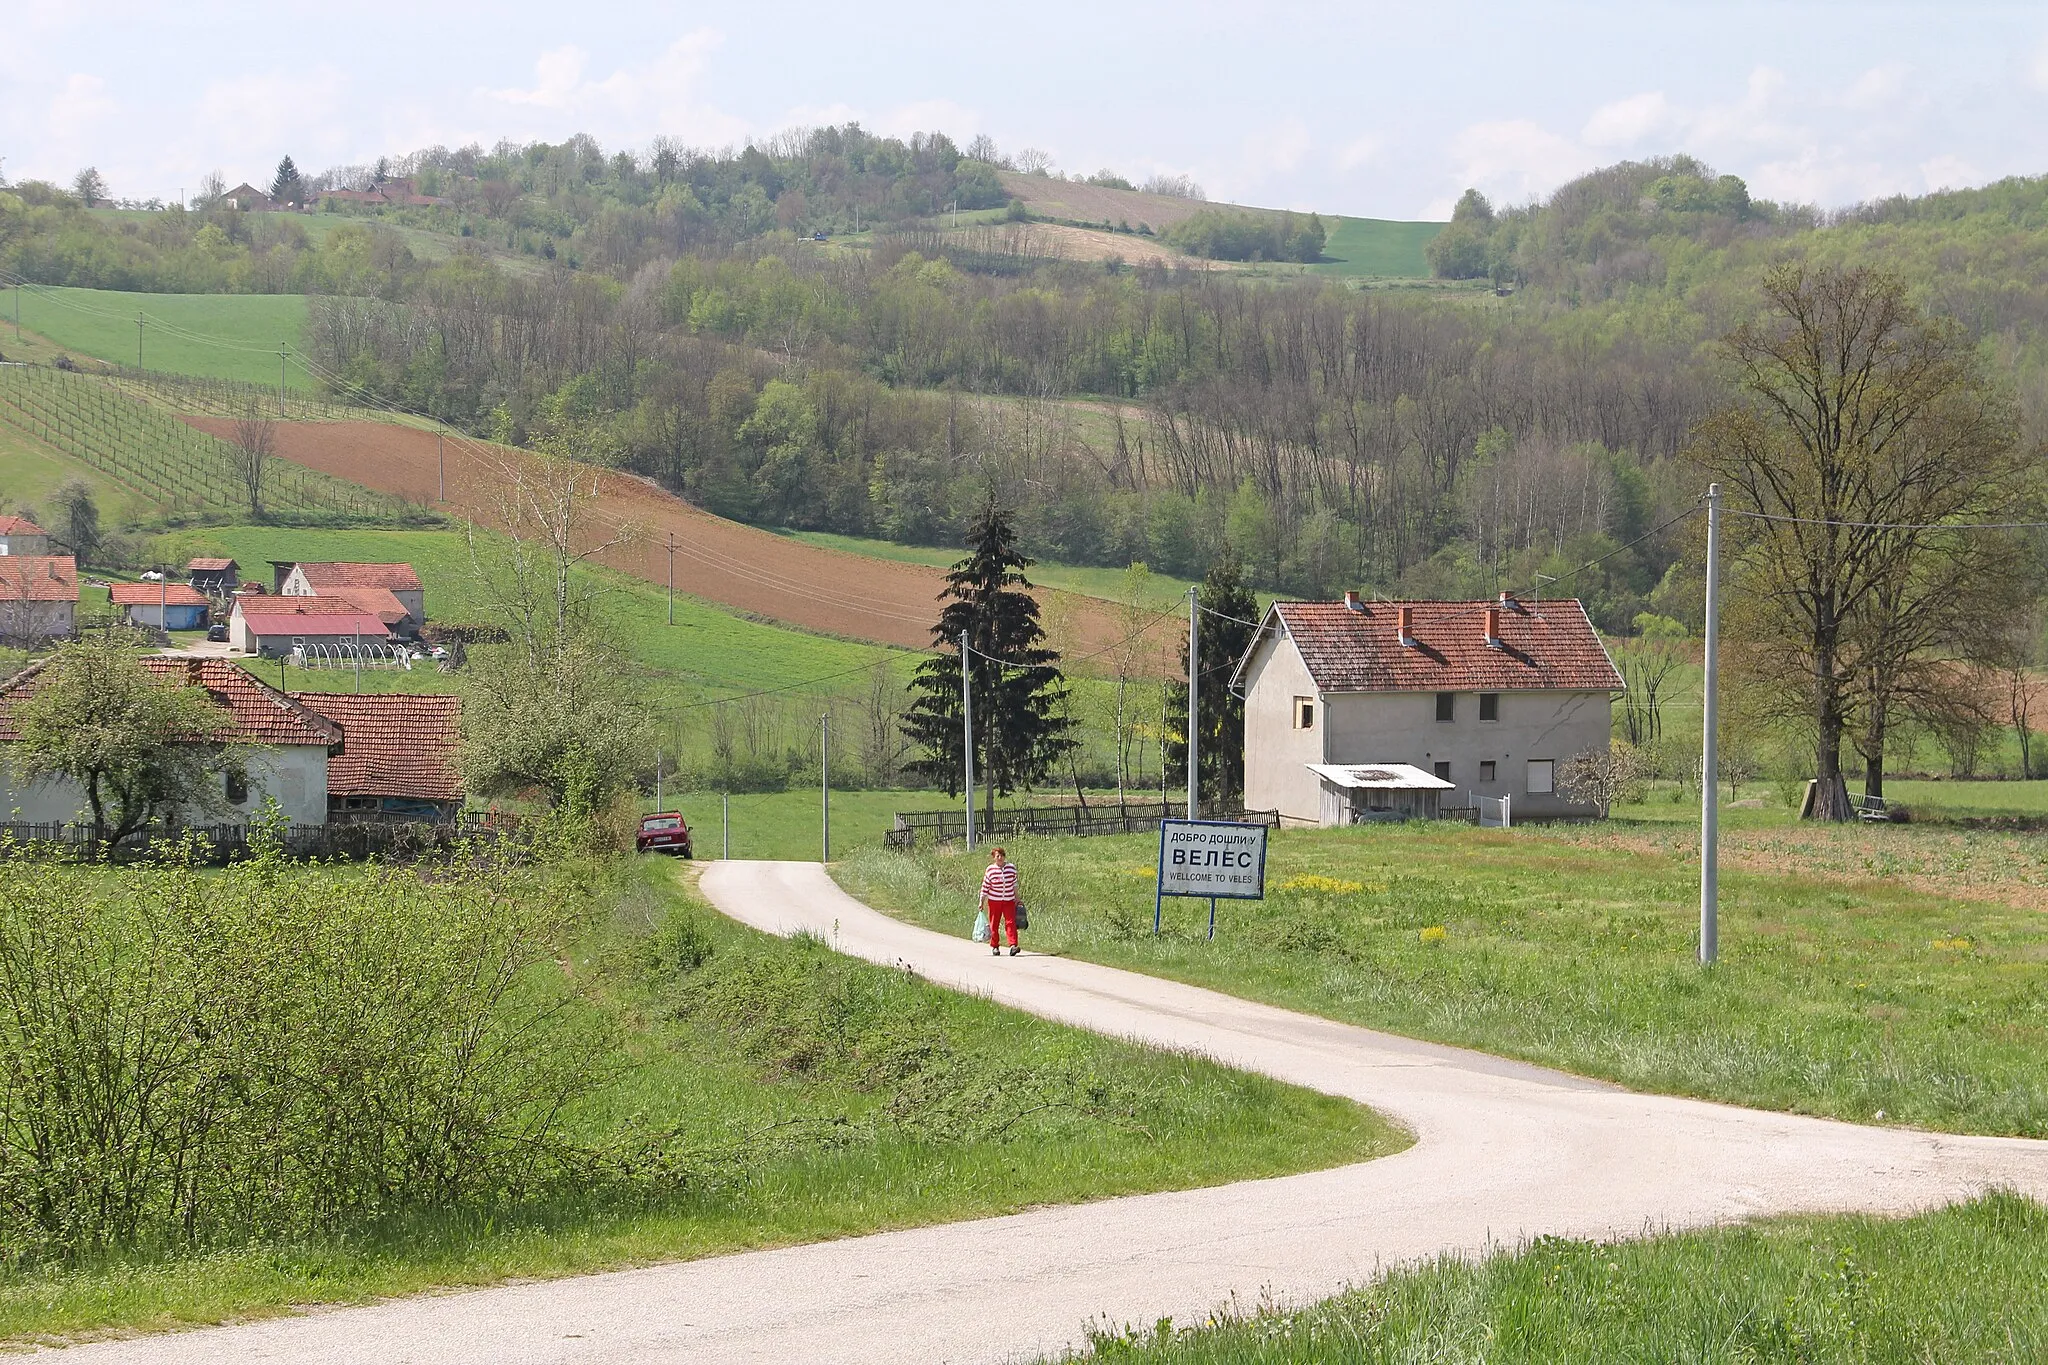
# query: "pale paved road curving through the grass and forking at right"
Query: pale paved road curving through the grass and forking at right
{"points": [[1504, 1151]]}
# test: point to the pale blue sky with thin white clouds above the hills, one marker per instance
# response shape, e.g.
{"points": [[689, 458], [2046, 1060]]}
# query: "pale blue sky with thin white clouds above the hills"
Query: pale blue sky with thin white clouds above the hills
{"points": [[1371, 109]]}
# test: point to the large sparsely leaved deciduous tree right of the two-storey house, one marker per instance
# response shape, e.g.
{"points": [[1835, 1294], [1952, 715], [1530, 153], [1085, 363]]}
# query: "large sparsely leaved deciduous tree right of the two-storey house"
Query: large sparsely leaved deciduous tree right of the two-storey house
{"points": [[1865, 437]]}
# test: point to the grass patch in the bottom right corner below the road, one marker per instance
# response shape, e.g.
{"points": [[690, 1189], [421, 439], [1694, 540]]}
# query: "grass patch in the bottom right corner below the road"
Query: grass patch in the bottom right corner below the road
{"points": [[1961, 1284]]}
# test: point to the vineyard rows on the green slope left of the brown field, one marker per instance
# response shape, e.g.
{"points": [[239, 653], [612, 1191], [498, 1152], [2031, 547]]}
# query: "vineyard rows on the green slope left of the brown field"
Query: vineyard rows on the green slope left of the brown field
{"points": [[187, 472]]}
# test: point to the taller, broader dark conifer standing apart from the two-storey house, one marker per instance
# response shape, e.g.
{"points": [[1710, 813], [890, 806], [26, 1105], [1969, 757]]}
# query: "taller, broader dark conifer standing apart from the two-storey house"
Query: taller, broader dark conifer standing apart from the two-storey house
{"points": [[1019, 693]]}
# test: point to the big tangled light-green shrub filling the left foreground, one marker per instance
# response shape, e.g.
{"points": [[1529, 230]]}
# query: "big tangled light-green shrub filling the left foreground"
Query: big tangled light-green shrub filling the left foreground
{"points": [[198, 1057]]}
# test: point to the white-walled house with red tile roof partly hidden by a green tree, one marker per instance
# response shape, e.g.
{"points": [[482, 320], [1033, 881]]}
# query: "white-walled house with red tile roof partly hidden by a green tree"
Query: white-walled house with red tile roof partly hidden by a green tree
{"points": [[288, 746]]}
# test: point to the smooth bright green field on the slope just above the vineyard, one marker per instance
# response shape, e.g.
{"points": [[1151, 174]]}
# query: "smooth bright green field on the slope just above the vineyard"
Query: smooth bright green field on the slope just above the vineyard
{"points": [[214, 337]]}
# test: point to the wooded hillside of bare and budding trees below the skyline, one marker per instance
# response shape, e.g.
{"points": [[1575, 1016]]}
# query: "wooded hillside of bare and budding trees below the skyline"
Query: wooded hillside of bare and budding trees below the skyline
{"points": [[693, 331]]}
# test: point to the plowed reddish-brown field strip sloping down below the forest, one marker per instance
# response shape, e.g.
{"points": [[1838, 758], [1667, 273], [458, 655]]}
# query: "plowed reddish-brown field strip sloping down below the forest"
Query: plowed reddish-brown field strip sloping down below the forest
{"points": [[720, 562]]}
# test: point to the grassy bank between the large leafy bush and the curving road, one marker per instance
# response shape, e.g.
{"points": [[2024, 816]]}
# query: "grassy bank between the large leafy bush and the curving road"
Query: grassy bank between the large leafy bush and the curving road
{"points": [[763, 1094]]}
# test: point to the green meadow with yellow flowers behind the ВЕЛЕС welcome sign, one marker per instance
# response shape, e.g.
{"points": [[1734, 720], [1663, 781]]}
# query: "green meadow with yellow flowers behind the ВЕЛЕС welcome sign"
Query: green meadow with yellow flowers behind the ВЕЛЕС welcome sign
{"points": [[1842, 989]]}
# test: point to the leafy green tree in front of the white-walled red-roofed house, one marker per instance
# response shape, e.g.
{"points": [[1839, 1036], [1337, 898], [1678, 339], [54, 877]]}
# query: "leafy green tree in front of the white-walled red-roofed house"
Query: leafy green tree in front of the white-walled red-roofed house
{"points": [[140, 746]]}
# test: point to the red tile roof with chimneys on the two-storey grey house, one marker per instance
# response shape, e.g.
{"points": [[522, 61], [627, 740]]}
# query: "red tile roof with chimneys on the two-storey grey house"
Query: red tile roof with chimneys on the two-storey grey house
{"points": [[1545, 646]]}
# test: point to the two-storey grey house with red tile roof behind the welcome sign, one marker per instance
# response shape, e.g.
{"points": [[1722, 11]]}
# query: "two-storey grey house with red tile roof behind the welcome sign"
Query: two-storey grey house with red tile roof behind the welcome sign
{"points": [[1486, 699]]}
